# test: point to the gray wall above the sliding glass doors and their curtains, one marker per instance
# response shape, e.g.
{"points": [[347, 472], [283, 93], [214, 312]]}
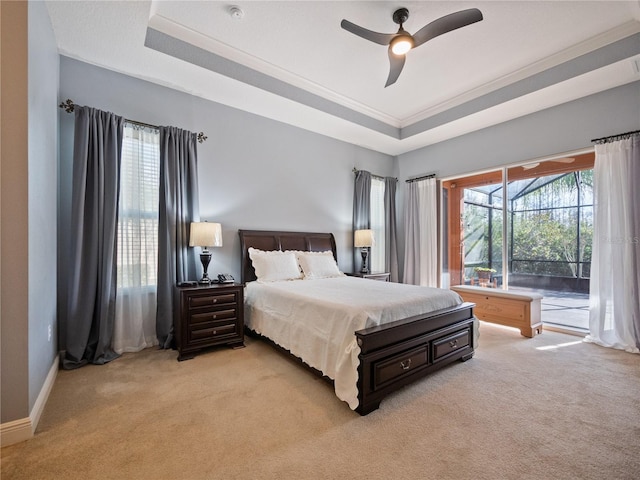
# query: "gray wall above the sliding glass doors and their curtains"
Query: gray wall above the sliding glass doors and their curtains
{"points": [[564, 128]]}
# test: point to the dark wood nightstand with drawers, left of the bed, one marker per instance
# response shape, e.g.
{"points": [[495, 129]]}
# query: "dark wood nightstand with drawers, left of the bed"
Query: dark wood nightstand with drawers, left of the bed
{"points": [[206, 316]]}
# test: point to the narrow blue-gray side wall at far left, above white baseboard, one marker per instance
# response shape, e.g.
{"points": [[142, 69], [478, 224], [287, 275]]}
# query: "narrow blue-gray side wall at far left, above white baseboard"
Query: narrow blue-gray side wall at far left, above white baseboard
{"points": [[44, 72]]}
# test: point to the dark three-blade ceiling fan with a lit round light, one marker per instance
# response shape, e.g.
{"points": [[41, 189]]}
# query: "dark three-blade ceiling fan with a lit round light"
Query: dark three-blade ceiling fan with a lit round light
{"points": [[401, 42]]}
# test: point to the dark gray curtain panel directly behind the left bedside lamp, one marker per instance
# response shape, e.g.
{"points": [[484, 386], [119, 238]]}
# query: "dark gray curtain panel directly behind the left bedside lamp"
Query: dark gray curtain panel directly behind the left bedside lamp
{"points": [[178, 208]]}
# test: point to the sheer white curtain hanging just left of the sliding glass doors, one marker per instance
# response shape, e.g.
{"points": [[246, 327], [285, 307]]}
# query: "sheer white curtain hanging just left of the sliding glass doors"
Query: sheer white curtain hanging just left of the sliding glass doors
{"points": [[421, 233]]}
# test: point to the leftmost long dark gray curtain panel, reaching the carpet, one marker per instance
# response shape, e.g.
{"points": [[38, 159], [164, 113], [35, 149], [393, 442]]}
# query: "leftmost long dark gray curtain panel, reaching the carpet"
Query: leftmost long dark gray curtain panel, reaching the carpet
{"points": [[94, 223]]}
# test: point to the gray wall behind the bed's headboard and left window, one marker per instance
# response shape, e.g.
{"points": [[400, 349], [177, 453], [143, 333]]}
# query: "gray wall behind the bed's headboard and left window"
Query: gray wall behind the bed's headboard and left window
{"points": [[254, 173]]}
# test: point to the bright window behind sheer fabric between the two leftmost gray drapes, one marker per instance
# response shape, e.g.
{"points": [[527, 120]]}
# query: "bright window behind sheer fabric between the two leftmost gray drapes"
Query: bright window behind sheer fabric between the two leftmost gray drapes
{"points": [[138, 207]]}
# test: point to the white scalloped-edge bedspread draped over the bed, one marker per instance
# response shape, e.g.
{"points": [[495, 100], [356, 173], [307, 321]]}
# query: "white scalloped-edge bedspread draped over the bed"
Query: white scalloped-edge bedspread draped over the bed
{"points": [[316, 319]]}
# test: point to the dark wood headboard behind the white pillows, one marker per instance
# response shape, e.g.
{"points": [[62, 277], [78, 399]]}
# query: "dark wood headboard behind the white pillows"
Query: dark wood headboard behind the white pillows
{"points": [[277, 240]]}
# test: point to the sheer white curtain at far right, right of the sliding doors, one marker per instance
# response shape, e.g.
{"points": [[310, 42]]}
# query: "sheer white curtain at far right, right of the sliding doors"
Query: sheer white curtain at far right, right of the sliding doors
{"points": [[614, 310]]}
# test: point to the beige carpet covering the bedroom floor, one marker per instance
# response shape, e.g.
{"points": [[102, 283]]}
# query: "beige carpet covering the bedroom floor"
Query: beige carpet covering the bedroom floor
{"points": [[551, 407]]}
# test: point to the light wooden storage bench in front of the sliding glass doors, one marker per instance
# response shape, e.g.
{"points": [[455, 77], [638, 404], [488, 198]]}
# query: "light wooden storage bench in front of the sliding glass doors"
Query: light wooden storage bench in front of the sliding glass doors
{"points": [[520, 310]]}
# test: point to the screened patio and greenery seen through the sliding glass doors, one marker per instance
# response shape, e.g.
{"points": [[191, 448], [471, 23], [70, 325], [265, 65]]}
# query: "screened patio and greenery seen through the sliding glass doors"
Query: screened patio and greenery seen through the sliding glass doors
{"points": [[548, 241]]}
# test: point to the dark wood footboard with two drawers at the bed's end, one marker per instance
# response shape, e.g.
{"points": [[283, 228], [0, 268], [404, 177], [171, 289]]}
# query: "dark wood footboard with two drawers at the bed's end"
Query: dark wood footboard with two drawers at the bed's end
{"points": [[399, 353]]}
